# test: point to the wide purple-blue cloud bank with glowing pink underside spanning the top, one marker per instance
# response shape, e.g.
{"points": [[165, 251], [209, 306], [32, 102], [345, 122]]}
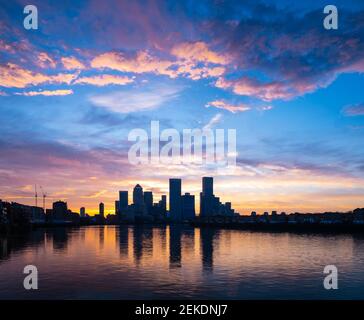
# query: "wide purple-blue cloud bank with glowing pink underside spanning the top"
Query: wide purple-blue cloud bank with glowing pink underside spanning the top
{"points": [[293, 51]]}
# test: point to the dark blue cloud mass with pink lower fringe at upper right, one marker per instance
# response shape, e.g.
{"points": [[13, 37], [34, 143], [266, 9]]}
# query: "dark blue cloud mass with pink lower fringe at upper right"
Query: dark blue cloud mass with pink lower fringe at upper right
{"points": [[294, 52]]}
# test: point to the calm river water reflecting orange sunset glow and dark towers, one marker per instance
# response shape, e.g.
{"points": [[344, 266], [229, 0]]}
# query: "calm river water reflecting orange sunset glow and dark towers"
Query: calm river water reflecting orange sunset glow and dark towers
{"points": [[144, 262]]}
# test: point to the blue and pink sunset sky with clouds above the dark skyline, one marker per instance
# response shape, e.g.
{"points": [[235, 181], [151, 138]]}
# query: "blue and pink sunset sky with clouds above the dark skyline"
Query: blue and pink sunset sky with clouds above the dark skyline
{"points": [[72, 90]]}
